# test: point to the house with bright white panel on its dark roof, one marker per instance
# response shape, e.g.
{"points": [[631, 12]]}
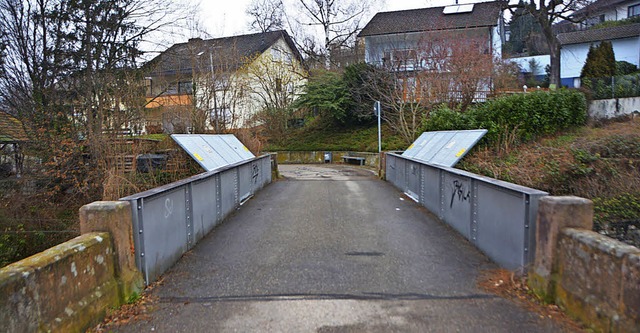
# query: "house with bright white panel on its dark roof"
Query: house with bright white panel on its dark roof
{"points": [[421, 47]]}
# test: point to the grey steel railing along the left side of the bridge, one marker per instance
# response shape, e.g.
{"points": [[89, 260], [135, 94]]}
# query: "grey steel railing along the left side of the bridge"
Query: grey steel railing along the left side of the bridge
{"points": [[169, 220]]}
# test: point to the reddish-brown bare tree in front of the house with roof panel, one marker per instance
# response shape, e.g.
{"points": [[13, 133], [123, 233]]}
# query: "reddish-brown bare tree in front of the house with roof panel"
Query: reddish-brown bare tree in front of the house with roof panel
{"points": [[449, 68]]}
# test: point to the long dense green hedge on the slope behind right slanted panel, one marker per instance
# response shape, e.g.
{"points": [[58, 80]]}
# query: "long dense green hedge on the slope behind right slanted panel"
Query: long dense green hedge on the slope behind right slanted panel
{"points": [[519, 117]]}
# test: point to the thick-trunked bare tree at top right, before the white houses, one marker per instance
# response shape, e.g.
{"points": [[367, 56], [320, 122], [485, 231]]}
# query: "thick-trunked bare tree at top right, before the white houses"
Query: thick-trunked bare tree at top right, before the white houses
{"points": [[547, 13]]}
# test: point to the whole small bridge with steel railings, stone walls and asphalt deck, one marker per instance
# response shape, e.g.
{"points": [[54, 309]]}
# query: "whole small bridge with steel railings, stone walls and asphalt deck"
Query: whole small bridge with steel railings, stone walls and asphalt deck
{"points": [[329, 248]]}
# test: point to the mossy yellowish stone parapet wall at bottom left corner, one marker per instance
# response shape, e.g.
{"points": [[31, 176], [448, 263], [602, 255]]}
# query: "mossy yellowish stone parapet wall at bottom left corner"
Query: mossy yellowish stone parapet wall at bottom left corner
{"points": [[66, 288]]}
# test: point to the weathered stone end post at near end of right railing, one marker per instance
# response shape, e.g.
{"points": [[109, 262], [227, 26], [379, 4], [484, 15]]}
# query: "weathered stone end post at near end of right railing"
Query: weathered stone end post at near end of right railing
{"points": [[555, 214]]}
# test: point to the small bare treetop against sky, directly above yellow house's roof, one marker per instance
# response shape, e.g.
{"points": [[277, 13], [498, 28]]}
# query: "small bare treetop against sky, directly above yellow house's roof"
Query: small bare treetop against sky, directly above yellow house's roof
{"points": [[266, 15]]}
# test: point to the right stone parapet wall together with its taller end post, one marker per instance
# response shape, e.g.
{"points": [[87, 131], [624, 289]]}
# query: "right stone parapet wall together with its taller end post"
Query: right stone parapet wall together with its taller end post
{"points": [[593, 278]]}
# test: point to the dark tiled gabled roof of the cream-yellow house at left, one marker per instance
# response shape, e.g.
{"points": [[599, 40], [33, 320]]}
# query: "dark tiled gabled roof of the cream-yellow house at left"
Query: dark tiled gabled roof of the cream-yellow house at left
{"points": [[179, 58]]}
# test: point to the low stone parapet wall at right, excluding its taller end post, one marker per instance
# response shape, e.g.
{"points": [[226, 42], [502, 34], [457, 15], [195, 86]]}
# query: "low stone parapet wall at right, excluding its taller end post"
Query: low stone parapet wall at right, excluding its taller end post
{"points": [[598, 280]]}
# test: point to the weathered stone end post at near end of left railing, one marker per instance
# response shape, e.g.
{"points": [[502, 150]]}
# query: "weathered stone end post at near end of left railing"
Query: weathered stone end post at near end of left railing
{"points": [[115, 217]]}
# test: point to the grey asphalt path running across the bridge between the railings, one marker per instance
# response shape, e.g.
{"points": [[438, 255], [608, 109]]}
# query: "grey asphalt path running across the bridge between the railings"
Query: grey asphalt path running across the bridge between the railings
{"points": [[332, 249]]}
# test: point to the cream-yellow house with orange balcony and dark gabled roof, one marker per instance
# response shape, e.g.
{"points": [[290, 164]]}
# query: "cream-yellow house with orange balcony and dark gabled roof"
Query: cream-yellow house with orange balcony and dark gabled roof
{"points": [[222, 84]]}
